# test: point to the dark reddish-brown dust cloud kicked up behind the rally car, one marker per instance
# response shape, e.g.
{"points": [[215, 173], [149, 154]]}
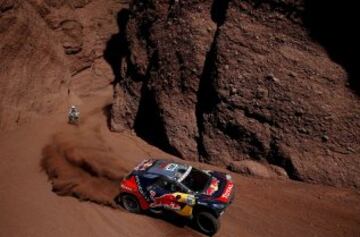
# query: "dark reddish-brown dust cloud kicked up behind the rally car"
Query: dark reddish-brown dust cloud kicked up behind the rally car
{"points": [[80, 164]]}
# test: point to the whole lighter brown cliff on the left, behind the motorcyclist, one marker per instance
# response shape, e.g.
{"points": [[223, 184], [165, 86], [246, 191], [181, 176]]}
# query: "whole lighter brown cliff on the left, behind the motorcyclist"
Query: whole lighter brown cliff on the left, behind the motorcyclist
{"points": [[50, 48]]}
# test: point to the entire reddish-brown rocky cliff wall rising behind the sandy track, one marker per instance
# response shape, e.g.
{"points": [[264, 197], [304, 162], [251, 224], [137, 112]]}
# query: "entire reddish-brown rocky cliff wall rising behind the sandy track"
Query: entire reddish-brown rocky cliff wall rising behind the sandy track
{"points": [[227, 82]]}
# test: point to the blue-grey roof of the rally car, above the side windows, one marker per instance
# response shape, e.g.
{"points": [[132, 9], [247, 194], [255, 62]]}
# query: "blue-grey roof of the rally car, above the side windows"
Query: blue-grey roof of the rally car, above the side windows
{"points": [[166, 168]]}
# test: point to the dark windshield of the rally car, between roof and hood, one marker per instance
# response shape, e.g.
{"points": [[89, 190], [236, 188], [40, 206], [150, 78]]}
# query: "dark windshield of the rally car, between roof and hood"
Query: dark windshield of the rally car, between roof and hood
{"points": [[196, 180]]}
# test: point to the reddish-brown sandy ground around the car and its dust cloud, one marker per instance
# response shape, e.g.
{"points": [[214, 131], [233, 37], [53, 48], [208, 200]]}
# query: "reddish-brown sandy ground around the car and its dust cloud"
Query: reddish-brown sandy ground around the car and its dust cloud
{"points": [[261, 208]]}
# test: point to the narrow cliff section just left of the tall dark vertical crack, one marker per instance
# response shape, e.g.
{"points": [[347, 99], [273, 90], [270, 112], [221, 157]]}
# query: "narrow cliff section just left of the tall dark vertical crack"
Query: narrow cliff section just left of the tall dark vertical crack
{"points": [[158, 94]]}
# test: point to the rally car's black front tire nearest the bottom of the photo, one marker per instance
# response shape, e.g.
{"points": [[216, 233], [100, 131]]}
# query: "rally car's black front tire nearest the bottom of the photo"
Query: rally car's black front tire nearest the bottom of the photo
{"points": [[207, 223]]}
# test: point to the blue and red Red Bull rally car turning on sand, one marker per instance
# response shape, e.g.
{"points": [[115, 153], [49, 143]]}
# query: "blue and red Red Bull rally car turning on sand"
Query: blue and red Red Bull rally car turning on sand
{"points": [[157, 185]]}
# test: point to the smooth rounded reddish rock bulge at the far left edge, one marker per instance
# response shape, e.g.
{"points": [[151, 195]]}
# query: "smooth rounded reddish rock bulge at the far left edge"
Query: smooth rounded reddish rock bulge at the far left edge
{"points": [[30, 65]]}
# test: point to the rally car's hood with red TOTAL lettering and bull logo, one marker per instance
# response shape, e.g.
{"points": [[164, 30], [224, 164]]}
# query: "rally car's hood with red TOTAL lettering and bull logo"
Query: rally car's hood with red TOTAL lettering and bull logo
{"points": [[220, 187]]}
